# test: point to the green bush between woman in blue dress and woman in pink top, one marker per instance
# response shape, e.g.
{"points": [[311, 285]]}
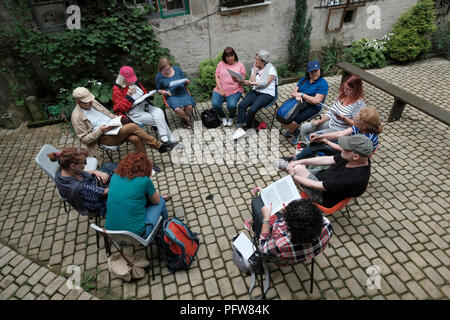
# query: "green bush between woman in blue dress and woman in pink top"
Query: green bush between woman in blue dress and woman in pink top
{"points": [[202, 87]]}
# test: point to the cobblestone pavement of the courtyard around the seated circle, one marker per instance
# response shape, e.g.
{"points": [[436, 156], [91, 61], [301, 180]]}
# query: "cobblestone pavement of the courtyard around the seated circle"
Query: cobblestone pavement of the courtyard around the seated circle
{"points": [[400, 224]]}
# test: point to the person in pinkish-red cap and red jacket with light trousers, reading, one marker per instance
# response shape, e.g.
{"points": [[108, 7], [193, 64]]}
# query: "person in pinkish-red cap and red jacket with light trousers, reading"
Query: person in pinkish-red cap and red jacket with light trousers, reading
{"points": [[126, 90]]}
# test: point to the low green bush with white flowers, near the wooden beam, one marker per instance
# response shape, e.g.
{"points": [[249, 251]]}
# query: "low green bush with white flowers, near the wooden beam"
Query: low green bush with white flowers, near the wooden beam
{"points": [[366, 53]]}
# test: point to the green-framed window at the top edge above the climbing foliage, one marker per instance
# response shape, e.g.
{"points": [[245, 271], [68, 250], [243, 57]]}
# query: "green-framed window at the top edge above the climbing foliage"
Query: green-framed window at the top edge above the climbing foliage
{"points": [[164, 8]]}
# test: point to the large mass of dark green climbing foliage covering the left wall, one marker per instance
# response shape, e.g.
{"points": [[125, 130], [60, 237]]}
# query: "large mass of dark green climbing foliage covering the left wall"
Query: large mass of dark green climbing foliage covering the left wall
{"points": [[109, 38]]}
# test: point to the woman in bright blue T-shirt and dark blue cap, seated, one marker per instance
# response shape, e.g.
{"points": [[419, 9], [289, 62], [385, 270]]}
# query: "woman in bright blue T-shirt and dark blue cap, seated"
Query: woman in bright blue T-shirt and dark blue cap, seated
{"points": [[310, 90]]}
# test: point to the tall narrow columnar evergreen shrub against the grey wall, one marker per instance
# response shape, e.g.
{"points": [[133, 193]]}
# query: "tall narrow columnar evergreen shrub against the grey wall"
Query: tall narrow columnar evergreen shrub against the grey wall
{"points": [[300, 44]]}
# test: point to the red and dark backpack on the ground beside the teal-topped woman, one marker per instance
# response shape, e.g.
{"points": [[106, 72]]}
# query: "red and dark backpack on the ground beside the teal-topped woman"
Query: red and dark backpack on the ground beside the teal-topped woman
{"points": [[179, 244]]}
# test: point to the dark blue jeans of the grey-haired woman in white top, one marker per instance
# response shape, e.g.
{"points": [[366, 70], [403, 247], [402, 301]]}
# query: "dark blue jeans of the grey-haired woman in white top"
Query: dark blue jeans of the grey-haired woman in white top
{"points": [[255, 101]]}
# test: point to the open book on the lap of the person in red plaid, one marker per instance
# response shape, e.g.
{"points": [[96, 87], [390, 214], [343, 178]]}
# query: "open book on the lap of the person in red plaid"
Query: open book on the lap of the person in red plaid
{"points": [[279, 192]]}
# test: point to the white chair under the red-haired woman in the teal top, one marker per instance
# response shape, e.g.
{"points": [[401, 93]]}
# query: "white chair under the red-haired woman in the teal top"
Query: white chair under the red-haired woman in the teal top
{"points": [[127, 238]]}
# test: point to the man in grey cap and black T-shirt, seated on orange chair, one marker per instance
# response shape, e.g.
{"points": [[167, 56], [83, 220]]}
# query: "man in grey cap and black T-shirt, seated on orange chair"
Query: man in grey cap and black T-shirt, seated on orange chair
{"points": [[348, 175]]}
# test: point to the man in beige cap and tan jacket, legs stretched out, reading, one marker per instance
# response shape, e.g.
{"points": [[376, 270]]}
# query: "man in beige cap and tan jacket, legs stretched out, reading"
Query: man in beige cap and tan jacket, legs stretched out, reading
{"points": [[89, 119]]}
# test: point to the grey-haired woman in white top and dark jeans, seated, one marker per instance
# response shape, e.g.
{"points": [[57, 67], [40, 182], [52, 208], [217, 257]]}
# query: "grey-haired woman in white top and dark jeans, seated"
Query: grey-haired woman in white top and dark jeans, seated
{"points": [[263, 80]]}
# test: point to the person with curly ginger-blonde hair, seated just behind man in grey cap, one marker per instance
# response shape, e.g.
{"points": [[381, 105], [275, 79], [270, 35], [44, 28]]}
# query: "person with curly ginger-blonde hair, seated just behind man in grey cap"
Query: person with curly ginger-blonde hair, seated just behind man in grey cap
{"points": [[367, 122]]}
